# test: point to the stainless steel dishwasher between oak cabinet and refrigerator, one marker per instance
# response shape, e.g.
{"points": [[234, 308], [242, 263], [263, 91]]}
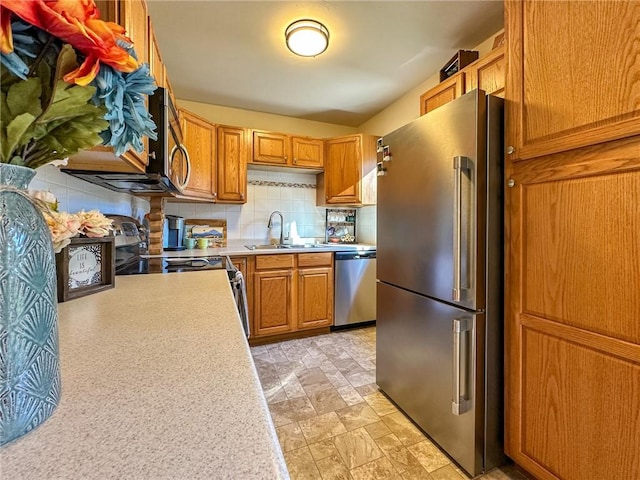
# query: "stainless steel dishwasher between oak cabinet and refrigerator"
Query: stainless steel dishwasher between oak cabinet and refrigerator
{"points": [[355, 292]]}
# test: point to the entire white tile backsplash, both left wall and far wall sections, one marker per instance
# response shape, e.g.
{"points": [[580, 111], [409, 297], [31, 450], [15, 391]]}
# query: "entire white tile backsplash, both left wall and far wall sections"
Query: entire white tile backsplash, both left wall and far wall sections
{"points": [[293, 194]]}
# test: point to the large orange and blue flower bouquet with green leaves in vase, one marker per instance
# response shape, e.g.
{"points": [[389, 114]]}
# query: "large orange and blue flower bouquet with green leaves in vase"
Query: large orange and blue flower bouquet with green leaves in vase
{"points": [[69, 81]]}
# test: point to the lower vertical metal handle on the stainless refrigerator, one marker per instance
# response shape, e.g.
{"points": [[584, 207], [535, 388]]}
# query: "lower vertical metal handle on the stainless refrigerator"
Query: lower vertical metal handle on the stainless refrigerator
{"points": [[461, 402]]}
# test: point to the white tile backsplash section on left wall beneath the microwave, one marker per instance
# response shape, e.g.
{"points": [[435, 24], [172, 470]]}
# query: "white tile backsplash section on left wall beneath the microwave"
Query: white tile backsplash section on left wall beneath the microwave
{"points": [[74, 194]]}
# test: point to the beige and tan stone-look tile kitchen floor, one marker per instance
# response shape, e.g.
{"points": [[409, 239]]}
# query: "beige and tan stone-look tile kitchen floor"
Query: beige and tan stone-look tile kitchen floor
{"points": [[333, 423]]}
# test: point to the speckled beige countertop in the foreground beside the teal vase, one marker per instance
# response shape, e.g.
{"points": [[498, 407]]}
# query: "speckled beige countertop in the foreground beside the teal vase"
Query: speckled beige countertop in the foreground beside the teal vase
{"points": [[157, 383]]}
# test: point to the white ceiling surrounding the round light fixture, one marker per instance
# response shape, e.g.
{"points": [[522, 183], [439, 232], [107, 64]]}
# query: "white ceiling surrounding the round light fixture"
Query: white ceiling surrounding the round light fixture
{"points": [[232, 53]]}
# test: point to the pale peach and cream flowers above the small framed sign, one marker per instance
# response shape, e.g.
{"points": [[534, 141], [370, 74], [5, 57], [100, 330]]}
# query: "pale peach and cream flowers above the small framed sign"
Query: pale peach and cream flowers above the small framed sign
{"points": [[64, 226]]}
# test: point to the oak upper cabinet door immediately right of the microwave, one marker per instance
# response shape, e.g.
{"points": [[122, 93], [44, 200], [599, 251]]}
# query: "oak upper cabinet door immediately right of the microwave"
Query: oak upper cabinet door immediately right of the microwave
{"points": [[199, 138]]}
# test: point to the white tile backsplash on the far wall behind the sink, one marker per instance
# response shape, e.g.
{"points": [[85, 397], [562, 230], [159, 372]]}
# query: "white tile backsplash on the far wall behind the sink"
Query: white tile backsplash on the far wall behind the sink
{"points": [[293, 194]]}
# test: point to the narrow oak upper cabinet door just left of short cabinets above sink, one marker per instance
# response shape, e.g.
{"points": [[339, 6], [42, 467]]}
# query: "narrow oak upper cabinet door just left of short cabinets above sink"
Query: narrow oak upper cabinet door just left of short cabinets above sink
{"points": [[232, 165]]}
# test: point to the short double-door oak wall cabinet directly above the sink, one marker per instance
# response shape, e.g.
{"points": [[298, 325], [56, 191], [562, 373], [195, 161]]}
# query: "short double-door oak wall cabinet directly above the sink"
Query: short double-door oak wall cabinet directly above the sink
{"points": [[279, 149]]}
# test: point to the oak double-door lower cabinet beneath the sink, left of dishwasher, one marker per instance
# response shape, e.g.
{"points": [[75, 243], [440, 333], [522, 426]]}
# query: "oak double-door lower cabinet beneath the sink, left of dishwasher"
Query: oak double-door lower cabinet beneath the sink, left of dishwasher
{"points": [[290, 294]]}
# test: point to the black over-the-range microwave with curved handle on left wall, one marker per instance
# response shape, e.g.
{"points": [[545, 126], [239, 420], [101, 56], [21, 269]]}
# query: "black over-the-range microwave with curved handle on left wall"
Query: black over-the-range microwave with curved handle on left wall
{"points": [[169, 168]]}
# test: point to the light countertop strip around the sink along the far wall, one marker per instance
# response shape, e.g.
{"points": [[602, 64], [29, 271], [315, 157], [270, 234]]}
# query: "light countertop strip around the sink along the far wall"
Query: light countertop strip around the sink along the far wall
{"points": [[237, 247]]}
